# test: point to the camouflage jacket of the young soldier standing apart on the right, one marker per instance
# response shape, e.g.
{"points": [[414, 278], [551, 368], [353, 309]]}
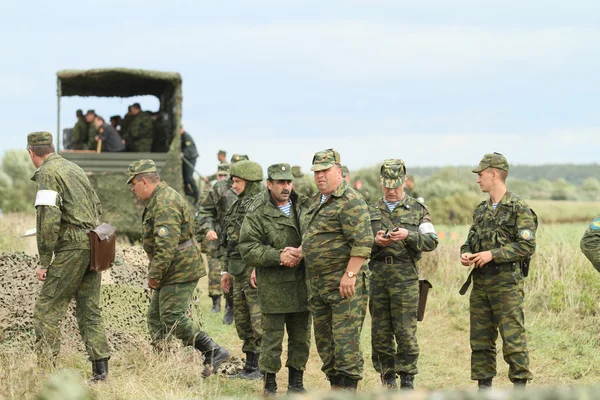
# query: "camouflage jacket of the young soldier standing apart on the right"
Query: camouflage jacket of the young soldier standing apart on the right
{"points": [[508, 231]]}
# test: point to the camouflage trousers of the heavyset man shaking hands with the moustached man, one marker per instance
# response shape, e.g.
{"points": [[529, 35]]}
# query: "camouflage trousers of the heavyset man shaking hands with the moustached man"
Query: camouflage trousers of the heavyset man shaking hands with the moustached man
{"points": [[338, 323]]}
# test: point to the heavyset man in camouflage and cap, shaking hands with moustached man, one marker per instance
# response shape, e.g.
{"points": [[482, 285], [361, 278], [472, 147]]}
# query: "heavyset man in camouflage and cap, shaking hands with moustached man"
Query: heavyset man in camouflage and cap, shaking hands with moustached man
{"points": [[336, 243]]}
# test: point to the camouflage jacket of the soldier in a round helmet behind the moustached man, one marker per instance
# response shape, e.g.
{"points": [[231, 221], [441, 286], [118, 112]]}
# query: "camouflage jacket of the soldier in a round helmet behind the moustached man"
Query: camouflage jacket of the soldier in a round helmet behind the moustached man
{"points": [[231, 226]]}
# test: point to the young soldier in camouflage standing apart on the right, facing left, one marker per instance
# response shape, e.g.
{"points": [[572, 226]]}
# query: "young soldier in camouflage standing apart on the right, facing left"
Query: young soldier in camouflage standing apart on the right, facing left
{"points": [[499, 243]]}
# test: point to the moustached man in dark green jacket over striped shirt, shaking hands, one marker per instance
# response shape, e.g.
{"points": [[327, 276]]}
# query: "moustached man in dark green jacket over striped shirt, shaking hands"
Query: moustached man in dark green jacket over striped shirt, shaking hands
{"points": [[271, 227]]}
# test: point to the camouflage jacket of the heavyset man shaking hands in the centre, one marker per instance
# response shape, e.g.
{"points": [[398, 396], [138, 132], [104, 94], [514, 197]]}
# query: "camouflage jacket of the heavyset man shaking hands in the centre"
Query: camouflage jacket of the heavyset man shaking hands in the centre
{"points": [[336, 230]]}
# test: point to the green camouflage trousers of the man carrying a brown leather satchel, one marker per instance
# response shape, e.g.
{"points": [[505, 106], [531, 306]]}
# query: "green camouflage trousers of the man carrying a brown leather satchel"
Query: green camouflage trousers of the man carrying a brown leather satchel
{"points": [[69, 276]]}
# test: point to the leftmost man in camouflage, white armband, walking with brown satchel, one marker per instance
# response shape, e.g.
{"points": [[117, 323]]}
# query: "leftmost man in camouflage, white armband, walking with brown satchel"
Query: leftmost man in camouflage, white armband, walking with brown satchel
{"points": [[67, 208]]}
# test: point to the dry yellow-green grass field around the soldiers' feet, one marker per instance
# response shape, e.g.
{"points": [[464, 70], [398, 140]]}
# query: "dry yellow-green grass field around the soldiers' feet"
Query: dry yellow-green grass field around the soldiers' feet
{"points": [[562, 317]]}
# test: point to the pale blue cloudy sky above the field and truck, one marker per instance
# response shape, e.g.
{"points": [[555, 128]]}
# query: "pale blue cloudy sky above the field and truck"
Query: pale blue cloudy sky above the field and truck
{"points": [[434, 82]]}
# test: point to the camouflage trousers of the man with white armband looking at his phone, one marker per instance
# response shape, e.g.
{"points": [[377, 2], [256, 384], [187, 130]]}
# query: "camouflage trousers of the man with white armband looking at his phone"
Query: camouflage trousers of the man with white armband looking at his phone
{"points": [[394, 299]]}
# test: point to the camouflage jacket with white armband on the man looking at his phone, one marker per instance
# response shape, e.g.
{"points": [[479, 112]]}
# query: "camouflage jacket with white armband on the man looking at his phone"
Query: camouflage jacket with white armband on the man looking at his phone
{"points": [[411, 215]]}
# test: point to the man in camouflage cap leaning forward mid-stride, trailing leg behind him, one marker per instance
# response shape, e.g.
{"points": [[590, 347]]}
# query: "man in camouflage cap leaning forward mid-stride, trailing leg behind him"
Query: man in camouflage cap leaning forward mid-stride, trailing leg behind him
{"points": [[175, 263]]}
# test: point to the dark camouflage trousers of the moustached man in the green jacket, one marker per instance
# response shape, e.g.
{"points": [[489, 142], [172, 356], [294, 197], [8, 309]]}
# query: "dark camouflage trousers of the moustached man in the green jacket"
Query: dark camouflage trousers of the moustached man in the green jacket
{"points": [[297, 326]]}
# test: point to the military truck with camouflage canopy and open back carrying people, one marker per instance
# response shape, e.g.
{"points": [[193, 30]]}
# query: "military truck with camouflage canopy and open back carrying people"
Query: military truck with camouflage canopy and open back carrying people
{"points": [[108, 171]]}
